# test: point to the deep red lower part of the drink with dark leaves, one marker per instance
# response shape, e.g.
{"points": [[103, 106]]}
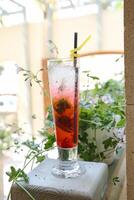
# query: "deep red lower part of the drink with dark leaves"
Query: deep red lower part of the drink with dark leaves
{"points": [[66, 122]]}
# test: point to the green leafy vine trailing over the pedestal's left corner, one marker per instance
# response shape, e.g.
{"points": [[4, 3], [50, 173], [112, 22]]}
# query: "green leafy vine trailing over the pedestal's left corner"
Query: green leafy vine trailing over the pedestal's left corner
{"points": [[35, 153]]}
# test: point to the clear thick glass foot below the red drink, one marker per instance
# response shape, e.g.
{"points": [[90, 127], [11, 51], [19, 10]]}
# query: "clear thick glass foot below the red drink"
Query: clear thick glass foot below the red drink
{"points": [[67, 166]]}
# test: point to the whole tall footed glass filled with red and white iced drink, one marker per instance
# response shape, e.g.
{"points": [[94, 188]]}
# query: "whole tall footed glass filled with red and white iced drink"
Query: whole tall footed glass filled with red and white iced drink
{"points": [[64, 90]]}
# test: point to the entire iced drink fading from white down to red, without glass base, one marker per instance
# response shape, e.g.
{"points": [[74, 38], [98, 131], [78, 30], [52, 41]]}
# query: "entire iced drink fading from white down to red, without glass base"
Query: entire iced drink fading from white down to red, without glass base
{"points": [[64, 95]]}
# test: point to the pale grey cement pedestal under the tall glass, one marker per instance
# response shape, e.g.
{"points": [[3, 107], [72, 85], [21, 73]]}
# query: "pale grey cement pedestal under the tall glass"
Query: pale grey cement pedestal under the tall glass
{"points": [[44, 186]]}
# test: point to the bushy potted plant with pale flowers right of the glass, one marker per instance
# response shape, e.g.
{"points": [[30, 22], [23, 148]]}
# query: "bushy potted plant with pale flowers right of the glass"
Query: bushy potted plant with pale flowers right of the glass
{"points": [[102, 121]]}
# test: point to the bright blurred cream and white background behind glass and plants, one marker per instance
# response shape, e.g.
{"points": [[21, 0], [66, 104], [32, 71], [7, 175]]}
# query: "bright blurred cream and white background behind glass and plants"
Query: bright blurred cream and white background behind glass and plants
{"points": [[28, 32]]}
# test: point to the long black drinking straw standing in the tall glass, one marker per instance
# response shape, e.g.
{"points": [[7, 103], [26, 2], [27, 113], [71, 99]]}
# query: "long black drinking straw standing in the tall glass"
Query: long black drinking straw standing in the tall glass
{"points": [[75, 90]]}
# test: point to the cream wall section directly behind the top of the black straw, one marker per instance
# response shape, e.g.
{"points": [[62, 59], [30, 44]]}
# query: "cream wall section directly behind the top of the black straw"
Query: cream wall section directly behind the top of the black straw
{"points": [[64, 31]]}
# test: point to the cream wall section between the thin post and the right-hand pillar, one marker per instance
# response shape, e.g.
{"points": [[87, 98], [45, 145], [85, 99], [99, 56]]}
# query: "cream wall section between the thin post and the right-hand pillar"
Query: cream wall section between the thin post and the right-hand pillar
{"points": [[113, 30]]}
